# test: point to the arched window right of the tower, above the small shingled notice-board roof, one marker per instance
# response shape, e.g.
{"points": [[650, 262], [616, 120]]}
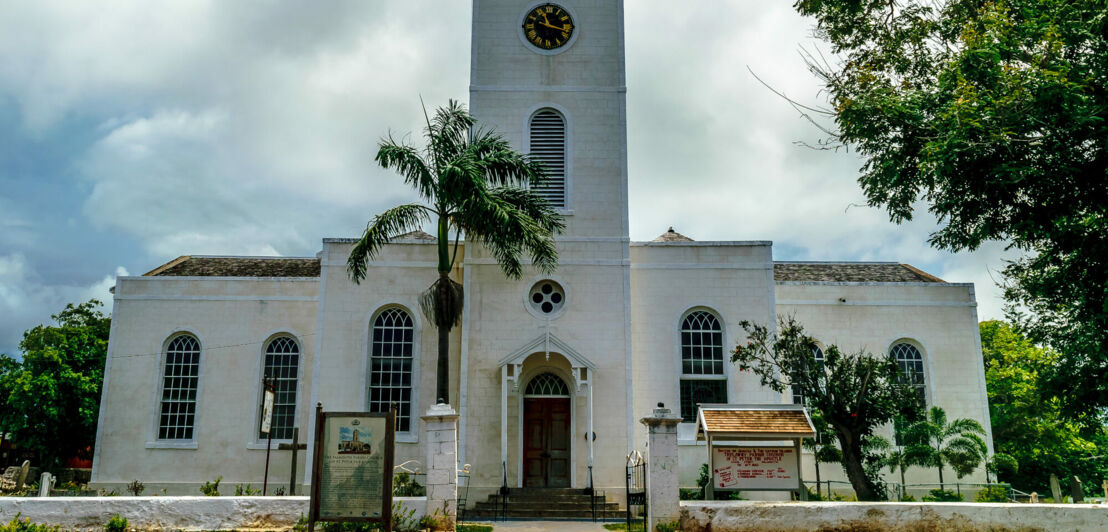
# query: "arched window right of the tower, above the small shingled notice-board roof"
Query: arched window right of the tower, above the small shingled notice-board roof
{"points": [[704, 381]]}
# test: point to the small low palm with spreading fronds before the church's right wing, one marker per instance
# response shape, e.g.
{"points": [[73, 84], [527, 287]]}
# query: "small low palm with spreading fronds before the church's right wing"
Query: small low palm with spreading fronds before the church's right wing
{"points": [[936, 444]]}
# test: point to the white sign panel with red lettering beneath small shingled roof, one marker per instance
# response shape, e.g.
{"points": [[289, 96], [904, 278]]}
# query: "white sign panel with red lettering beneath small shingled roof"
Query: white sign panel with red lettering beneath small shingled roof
{"points": [[755, 468]]}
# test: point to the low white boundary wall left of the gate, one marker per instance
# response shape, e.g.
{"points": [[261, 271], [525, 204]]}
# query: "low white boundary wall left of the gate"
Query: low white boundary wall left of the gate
{"points": [[171, 513]]}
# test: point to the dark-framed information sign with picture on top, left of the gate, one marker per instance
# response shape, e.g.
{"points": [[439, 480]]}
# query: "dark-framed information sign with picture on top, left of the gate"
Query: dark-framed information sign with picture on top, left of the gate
{"points": [[352, 474]]}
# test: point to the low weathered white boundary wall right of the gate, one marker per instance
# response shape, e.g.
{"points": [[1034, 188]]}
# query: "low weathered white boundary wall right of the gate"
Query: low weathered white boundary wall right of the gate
{"points": [[787, 517]]}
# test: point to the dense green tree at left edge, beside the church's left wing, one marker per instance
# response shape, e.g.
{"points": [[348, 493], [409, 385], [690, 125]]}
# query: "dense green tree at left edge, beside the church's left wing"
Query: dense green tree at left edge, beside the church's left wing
{"points": [[52, 398]]}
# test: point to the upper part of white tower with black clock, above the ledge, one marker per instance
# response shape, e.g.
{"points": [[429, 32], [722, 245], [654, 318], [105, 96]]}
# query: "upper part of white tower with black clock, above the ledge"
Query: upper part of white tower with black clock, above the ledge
{"points": [[550, 77]]}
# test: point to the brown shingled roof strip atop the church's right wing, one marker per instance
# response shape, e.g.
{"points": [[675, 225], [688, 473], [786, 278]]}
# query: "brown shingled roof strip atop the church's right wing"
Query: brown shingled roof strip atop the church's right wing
{"points": [[851, 273]]}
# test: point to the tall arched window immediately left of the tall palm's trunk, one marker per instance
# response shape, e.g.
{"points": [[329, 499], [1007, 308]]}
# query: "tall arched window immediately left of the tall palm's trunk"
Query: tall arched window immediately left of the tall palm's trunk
{"points": [[392, 359]]}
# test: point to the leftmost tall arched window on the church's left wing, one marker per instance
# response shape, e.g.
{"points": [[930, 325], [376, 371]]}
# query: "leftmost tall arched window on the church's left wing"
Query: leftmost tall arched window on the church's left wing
{"points": [[181, 381]]}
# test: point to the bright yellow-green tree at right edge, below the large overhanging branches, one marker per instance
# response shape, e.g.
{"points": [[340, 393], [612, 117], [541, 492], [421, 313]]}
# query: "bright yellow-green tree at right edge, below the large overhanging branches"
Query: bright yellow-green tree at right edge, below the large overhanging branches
{"points": [[1028, 420]]}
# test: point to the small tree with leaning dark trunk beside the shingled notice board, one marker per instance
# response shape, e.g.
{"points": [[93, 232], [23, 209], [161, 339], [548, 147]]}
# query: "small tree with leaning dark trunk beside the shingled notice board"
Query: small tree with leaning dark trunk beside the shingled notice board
{"points": [[855, 393]]}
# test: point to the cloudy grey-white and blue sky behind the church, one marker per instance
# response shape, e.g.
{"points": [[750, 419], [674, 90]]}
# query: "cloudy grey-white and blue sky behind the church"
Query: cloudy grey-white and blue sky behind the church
{"points": [[131, 135]]}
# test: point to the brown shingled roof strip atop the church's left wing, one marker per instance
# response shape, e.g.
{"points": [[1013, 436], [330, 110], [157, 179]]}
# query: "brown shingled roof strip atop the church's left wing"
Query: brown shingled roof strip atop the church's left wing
{"points": [[207, 267]]}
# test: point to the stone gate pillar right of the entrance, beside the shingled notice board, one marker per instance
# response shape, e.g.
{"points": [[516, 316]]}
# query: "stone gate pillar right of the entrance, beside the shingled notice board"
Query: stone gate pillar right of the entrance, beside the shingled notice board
{"points": [[663, 497]]}
